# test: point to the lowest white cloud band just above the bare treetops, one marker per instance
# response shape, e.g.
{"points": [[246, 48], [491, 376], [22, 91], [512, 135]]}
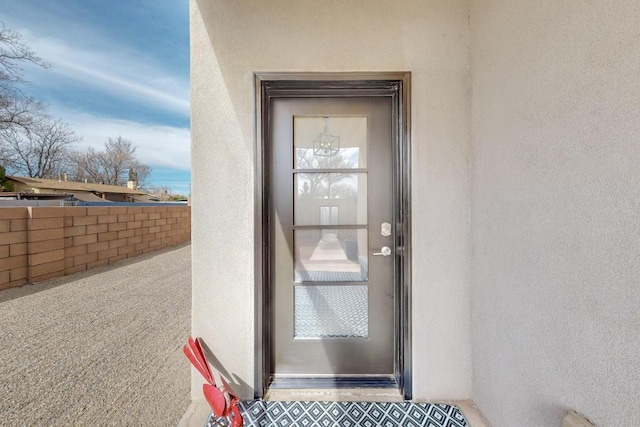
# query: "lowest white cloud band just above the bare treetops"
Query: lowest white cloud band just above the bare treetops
{"points": [[156, 145]]}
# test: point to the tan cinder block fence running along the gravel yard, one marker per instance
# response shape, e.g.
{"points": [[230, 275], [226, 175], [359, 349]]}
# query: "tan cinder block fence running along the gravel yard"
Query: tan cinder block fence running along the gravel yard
{"points": [[39, 243]]}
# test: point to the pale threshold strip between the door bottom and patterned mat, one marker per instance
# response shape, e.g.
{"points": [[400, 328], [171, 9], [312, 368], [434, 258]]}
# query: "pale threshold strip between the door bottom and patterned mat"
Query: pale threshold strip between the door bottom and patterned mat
{"points": [[335, 395]]}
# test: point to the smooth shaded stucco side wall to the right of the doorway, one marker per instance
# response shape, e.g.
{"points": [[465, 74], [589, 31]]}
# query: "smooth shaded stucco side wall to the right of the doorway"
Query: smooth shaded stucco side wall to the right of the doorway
{"points": [[555, 210]]}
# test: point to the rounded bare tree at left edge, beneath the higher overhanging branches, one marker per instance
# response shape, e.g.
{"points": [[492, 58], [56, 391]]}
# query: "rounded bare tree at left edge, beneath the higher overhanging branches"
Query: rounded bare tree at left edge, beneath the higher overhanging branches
{"points": [[41, 152]]}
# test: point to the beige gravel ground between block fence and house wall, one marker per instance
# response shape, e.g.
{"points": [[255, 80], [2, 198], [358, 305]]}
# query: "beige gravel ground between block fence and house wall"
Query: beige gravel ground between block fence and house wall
{"points": [[98, 348]]}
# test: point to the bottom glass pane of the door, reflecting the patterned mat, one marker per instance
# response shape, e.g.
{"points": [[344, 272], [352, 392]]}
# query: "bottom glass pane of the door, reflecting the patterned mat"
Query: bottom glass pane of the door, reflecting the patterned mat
{"points": [[335, 311]]}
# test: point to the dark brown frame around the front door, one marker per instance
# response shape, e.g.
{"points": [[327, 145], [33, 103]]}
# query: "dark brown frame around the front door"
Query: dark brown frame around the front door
{"points": [[271, 85]]}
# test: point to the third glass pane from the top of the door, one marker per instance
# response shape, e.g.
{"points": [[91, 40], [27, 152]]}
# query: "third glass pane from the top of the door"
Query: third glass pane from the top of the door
{"points": [[331, 255]]}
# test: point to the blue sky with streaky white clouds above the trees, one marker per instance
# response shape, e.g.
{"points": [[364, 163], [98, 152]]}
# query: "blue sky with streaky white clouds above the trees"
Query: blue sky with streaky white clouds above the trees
{"points": [[118, 68]]}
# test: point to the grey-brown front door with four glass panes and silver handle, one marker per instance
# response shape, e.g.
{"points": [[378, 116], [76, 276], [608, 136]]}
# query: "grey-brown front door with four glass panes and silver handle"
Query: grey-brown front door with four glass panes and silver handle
{"points": [[333, 231]]}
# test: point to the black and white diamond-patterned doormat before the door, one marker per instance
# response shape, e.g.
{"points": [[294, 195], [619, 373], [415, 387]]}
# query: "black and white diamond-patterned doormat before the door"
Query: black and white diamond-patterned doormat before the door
{"points": [[349, 414]]}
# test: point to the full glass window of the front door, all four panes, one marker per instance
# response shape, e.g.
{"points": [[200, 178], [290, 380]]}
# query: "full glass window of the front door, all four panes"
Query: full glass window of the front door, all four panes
{"points": [[330, 189]]}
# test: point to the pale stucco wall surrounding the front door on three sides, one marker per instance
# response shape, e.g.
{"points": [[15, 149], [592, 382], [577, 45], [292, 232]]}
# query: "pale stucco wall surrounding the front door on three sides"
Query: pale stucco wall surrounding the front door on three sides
{"points": [[232, 39]]}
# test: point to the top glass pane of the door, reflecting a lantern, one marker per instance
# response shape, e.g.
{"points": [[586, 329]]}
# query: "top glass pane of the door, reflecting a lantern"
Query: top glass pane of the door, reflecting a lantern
{"points": [[330, 142]]}
